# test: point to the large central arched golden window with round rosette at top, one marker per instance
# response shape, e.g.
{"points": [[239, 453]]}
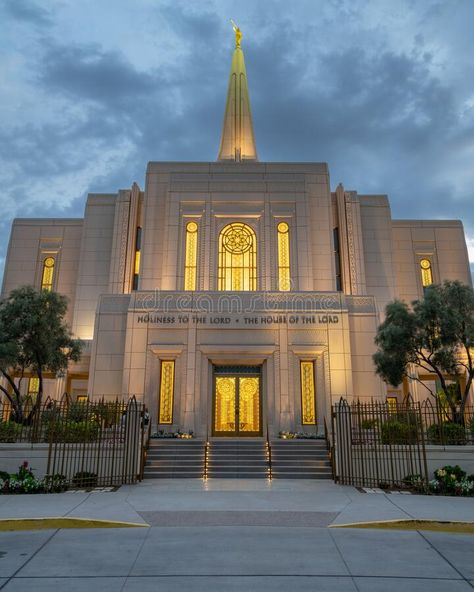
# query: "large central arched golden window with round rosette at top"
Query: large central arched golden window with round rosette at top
{"points": [[237, 258]]}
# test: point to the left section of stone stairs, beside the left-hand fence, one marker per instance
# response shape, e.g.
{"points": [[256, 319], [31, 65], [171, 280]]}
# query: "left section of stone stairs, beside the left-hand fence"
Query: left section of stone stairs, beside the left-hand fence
{"points": [[174, 458]]}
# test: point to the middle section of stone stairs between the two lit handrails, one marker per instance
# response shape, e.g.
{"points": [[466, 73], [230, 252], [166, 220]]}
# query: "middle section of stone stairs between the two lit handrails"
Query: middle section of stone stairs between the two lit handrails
{"points": [[237, 459]]}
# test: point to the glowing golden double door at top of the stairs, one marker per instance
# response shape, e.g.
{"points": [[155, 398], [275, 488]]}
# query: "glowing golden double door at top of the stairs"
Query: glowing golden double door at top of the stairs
{"points": [[237, 405]]}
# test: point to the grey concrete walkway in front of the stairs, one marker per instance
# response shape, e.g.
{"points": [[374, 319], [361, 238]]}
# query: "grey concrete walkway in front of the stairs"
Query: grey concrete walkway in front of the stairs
{"points": [[236, 535]]}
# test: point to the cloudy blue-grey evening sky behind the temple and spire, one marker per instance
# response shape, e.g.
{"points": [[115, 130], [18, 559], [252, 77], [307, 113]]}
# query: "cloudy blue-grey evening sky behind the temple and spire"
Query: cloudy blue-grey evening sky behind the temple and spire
{"points": [[382, 90]]}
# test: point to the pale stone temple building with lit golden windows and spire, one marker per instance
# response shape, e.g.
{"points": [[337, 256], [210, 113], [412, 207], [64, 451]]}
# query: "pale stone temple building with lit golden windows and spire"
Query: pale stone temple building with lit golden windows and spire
{"points": [[234, 297]]}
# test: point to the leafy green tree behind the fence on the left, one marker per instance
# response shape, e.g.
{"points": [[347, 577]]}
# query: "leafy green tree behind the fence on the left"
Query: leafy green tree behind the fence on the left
{"points": [[34, 338]]}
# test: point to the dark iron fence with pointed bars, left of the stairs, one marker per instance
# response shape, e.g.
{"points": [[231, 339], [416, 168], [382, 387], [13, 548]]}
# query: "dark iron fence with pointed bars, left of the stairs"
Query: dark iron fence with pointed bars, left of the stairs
{"points": [[90, 443]]}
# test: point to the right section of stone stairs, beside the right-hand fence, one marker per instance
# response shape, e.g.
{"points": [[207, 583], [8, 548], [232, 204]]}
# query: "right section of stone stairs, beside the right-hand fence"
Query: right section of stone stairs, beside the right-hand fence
{"points": [[300, 459]]}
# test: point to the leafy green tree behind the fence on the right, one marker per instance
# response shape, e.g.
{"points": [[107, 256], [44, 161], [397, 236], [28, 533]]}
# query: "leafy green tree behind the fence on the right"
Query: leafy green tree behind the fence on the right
{"points": [[435, 335]]}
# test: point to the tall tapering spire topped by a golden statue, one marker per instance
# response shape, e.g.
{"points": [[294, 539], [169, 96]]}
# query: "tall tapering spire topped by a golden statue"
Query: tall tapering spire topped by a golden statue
{"points": [[238, 138]]}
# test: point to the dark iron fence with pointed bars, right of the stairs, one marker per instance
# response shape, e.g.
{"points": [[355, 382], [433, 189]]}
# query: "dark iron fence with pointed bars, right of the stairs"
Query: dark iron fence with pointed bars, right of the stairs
{"points": [[379, 444]]}
